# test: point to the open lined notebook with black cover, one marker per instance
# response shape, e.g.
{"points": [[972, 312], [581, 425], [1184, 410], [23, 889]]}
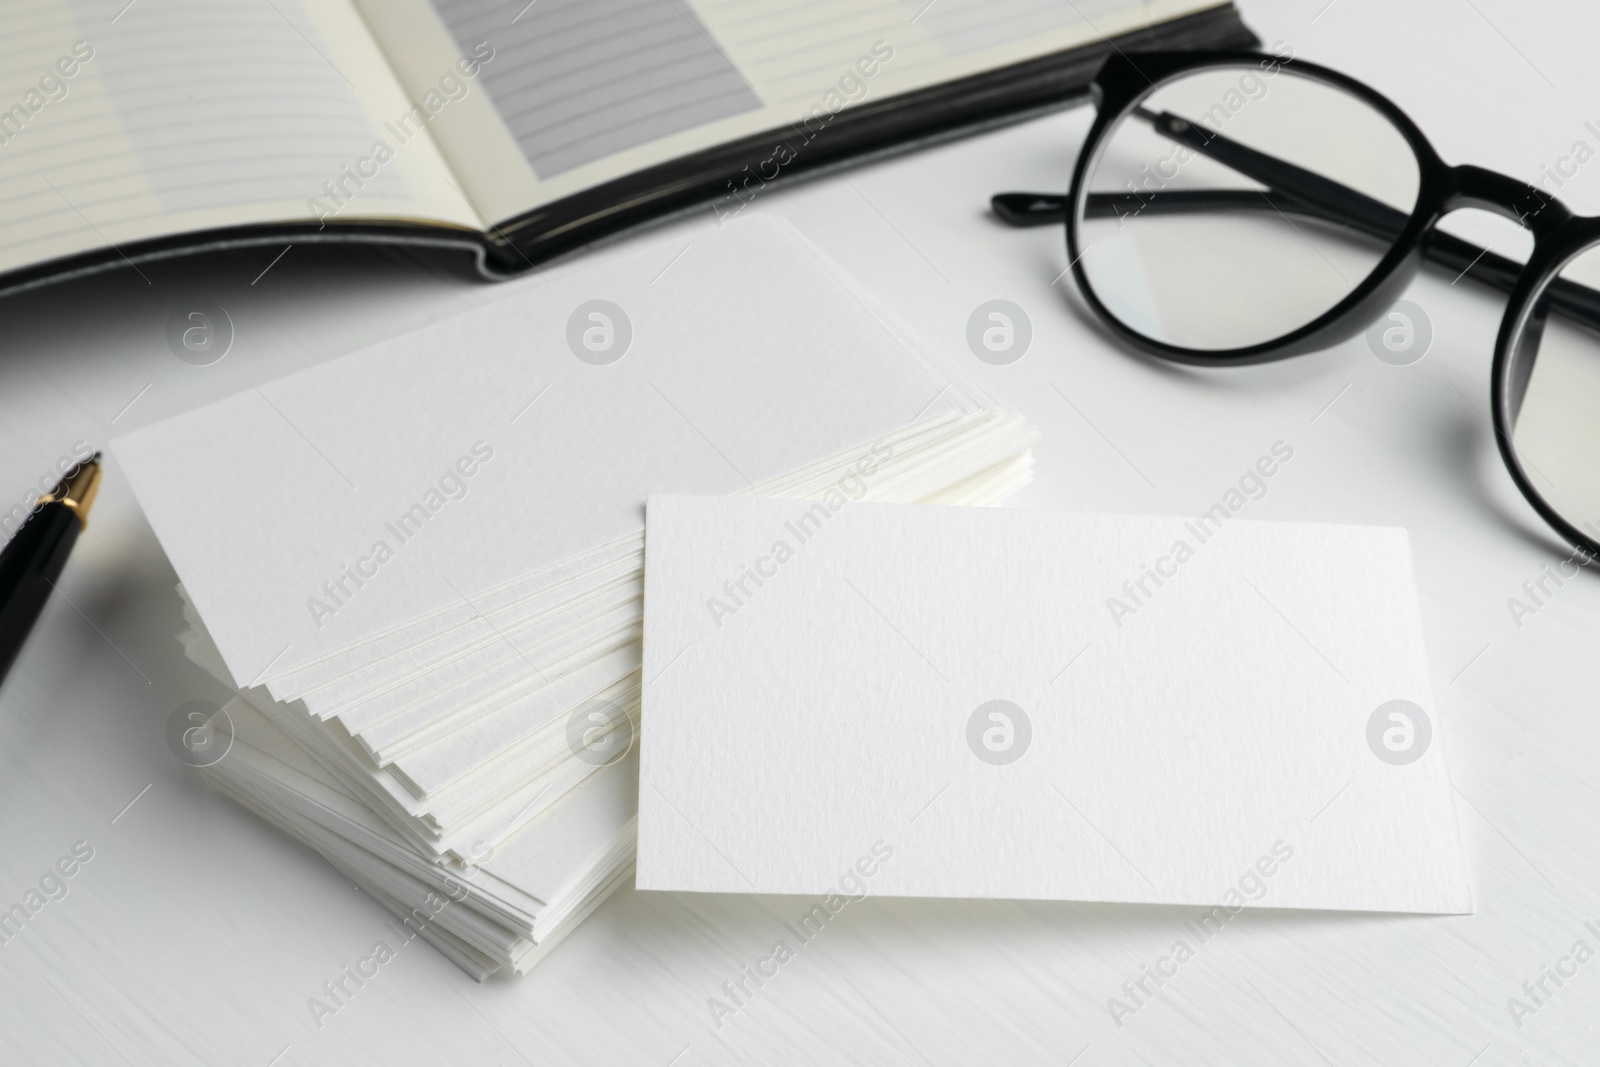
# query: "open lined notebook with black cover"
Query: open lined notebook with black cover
{"points": [[516, 132]]}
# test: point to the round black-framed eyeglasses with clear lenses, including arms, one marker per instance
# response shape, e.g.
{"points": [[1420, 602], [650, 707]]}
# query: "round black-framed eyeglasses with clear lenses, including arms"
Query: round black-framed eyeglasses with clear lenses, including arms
{"points": [[1234, 209]]}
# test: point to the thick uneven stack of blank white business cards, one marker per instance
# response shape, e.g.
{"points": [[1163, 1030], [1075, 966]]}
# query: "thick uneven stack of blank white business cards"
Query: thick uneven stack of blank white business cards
{"points": [[422, 565]]}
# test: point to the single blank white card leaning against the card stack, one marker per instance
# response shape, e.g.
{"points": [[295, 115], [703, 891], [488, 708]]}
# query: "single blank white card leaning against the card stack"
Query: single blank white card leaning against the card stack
{"points": [[942, 701]]}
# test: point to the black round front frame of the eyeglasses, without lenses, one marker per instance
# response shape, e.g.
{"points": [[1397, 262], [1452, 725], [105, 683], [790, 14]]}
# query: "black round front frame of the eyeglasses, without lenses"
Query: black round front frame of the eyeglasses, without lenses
{"points": [[1558, 233]]}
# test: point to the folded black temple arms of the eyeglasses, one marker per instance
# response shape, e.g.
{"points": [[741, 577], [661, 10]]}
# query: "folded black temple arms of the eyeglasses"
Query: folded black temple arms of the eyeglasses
{"points": [[1294, 191]]}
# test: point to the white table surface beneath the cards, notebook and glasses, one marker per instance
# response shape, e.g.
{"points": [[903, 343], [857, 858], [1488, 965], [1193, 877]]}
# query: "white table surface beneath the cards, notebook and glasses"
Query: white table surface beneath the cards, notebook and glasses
{"points": [[198, 935]]}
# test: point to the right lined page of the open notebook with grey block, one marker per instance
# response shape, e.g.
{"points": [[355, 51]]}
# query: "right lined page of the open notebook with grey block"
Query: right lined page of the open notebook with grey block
{"points": [[583, 92]]}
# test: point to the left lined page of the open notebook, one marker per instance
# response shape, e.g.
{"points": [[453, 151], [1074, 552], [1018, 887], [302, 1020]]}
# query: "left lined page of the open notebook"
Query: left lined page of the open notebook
{"points": [[194, 114]]}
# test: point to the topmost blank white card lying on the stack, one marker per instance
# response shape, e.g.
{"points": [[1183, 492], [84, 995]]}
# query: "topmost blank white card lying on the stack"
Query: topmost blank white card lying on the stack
{"points": [[398, 482]]}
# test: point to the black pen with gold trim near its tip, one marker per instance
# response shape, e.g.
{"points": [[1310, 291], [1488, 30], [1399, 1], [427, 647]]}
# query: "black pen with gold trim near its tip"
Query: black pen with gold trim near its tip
{"points": [[31, 564]]}
